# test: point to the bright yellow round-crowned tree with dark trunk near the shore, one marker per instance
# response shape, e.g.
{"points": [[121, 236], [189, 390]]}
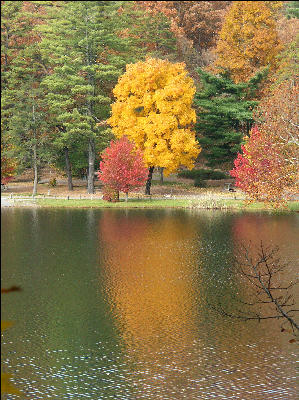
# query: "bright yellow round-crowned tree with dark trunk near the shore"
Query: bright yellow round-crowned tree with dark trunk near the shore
{"points": [[153, 109]]}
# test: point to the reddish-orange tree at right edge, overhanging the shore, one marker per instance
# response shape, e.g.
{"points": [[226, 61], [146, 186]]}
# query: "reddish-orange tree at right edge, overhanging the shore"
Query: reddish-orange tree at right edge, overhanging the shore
{"points": [[268, 168]]}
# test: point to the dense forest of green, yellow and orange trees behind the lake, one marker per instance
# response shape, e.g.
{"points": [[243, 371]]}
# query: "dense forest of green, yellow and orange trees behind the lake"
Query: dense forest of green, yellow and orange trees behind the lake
{"points": [[215, 81]]}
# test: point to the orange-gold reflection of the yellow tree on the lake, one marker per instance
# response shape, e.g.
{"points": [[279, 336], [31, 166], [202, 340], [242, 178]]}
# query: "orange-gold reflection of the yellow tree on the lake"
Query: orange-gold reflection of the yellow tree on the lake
{"points": [[149, 271]]}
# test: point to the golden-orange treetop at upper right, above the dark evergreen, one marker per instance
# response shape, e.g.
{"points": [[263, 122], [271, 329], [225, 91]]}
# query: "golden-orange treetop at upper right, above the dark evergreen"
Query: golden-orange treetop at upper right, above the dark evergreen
{"points": [[248, 39]]}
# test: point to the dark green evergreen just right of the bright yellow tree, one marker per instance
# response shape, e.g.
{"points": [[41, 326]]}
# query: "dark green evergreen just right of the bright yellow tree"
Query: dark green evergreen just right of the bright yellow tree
{"points": [[224, 115]]}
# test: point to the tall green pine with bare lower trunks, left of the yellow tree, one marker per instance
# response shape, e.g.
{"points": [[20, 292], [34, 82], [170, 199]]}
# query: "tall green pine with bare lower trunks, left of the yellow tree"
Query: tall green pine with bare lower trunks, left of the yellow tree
{"points": [[87, 56]]}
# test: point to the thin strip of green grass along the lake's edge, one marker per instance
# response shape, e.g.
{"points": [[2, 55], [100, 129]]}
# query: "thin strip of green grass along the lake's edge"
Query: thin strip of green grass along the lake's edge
{"points": [[167, 203]]}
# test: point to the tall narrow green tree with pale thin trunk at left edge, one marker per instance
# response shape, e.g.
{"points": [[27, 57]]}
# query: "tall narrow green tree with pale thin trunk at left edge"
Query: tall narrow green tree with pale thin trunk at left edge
{"points": [[23, 97]]}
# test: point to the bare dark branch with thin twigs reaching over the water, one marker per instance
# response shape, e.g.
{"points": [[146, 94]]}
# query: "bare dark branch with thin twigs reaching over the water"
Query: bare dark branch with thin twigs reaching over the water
{"points": [[269, 298]]}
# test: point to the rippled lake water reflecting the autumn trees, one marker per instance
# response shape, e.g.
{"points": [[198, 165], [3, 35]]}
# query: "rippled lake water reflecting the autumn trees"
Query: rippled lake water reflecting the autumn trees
{"points": [[119, 304]]}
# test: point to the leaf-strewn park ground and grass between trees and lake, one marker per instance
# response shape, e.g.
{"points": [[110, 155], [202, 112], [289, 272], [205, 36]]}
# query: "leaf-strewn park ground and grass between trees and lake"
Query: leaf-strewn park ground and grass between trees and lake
{"points": [[174, 192]]}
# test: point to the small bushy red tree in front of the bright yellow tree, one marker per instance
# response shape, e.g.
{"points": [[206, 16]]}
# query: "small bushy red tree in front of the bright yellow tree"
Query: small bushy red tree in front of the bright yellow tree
{"points": [[122, 168]]}
